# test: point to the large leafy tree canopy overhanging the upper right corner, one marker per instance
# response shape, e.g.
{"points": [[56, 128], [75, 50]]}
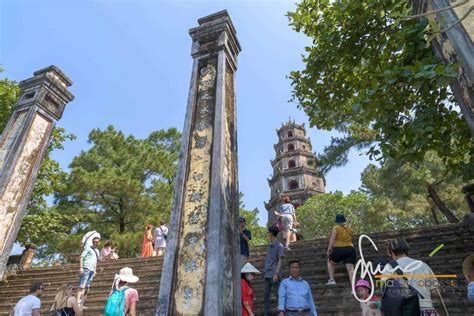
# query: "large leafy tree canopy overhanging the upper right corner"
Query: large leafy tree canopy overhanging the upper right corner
{"points": [[371, 75]]}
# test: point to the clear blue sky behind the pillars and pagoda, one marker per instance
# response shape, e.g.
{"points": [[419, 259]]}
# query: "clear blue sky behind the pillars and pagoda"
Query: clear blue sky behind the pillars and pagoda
{"points": [[130, 65]]}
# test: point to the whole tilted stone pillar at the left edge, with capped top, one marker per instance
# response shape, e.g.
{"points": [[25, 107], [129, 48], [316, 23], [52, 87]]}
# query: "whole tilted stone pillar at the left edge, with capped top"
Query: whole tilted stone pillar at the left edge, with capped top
{"points": [[22, 147]]}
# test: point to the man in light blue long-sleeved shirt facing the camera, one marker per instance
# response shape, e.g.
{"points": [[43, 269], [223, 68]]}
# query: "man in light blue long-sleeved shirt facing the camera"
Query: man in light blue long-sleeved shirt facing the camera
{"points": [[294, 295]]}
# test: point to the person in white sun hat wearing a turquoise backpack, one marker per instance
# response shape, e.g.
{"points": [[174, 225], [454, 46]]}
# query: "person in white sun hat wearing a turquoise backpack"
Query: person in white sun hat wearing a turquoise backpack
{"points": [[122, 298]]}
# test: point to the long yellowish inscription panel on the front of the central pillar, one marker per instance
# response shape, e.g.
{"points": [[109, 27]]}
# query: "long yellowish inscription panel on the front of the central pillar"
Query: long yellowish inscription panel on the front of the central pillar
{"points": [[189, 292]]}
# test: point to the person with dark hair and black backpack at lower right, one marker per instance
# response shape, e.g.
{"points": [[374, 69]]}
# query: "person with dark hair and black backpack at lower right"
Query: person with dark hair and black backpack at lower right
{"points": [[407, 295]]}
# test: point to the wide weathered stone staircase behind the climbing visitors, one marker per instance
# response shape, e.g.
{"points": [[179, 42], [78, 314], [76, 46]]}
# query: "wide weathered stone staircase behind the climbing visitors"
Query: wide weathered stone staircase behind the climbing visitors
{"points": [[330, 300]]}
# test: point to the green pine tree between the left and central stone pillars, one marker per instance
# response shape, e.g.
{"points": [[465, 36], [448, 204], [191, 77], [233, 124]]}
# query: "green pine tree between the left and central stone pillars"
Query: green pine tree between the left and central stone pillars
{"points": [[118, 186]]}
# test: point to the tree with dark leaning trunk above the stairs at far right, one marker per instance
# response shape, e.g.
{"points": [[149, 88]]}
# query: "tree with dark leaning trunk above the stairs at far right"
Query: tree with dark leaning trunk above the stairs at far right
{"points": [[414, 194]]}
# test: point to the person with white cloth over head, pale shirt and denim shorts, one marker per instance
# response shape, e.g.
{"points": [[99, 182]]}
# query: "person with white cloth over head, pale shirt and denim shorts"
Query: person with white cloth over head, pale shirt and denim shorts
{"points": [[87, 266]]}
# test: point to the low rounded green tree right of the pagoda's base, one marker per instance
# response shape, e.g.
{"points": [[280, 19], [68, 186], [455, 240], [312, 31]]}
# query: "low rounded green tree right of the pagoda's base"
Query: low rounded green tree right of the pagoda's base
{"points": [[317, 214]]}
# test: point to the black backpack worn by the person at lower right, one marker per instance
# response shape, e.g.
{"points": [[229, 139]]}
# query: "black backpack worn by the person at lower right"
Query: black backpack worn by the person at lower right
{"points": [[398, 299]]}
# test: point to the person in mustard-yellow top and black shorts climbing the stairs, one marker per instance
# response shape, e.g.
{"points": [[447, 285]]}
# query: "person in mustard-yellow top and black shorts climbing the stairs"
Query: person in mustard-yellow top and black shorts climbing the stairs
{"points": [[341, 248]]}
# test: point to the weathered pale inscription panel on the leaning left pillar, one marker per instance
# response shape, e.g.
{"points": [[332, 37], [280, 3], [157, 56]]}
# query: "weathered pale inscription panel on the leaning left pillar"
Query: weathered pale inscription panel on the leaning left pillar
{"points": [[14, 190]]}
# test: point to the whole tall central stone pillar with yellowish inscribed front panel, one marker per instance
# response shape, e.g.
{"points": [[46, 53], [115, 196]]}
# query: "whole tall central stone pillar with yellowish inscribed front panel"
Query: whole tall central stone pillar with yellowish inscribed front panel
{"points": [[201, 268]]}
